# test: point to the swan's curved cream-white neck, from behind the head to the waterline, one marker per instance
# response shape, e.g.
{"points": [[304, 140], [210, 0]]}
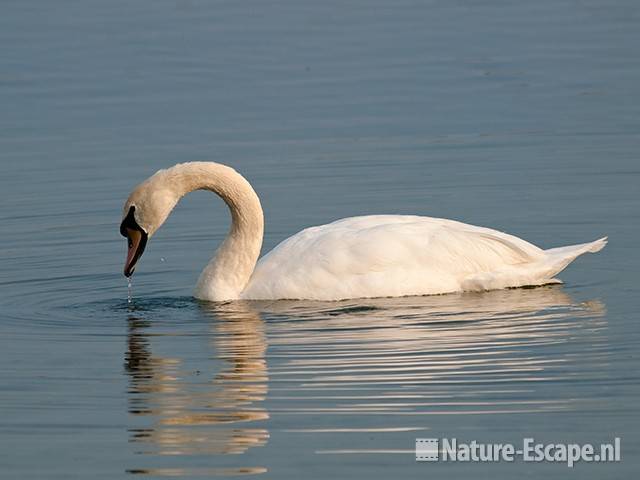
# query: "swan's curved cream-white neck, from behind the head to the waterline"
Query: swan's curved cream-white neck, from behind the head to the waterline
{"points": [[228, 272]]}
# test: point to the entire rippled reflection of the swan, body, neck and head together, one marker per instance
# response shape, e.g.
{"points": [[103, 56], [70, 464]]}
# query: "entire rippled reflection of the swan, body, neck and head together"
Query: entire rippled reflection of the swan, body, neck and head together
{"points": [[373, 366]]}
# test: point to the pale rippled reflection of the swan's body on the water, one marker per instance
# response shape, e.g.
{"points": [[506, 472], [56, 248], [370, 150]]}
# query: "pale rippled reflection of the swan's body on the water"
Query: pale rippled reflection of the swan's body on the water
{"points": [[472, 353]]}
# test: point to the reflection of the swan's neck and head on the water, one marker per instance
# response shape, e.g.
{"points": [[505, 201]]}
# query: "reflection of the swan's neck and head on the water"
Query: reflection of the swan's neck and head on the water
{"points": [[194, 415]]}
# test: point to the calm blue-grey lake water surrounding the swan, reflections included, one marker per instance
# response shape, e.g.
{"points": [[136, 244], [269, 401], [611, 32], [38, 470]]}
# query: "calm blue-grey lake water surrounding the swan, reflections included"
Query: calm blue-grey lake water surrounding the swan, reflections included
{"points": [[521, 116]]}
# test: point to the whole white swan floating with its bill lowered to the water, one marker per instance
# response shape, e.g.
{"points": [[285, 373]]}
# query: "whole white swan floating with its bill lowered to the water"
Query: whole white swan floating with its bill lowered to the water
{"points": [[369, 256]]}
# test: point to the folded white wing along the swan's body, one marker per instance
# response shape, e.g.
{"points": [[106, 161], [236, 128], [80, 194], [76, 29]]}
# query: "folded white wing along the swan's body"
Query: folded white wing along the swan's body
{"points": [[384, 255]]}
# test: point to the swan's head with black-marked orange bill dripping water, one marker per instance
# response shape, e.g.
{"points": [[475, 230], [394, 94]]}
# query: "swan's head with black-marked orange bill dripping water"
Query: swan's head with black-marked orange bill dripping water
{"points": [[146, 209]]}
